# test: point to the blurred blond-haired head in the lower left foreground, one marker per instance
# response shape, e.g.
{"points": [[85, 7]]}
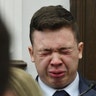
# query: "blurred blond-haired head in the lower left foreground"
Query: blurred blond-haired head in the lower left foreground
{"points": [[21, 83]]}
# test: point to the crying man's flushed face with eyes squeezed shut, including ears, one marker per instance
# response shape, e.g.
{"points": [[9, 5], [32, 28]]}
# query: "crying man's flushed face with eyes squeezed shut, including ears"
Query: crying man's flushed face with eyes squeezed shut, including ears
{"points": [[56, 56]]}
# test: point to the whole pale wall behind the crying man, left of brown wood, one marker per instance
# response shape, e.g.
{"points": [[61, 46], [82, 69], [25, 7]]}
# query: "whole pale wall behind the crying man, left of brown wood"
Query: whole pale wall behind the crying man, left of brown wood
{"points": [[17, 15]]}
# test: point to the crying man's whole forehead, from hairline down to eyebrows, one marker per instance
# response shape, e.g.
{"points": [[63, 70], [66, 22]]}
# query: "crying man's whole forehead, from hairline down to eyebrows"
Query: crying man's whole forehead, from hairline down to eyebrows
{"points": [[56, 37]]}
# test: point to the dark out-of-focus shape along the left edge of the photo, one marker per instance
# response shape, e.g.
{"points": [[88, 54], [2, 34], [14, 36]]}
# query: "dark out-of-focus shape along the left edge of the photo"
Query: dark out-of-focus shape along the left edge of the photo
{"points": [[4, 56]]}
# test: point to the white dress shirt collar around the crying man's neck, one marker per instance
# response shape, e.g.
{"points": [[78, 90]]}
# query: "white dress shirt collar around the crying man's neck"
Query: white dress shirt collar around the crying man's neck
{"points": [[72, 89]]}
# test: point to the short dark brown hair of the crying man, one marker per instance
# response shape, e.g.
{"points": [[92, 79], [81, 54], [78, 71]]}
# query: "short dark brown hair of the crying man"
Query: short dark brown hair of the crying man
{"points": [[53, 17]]}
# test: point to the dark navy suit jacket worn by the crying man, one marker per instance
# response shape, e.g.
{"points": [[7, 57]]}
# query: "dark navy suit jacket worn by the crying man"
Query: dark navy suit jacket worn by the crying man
{"points": [[83, 86]]}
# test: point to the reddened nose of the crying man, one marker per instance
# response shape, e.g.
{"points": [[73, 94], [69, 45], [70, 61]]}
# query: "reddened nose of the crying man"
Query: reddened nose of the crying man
{"points": [[56, 60]]}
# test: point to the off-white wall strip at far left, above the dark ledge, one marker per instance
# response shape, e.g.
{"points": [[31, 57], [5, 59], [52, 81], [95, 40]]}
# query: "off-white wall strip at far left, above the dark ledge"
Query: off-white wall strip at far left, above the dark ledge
{"points": [[11, 11]]}
